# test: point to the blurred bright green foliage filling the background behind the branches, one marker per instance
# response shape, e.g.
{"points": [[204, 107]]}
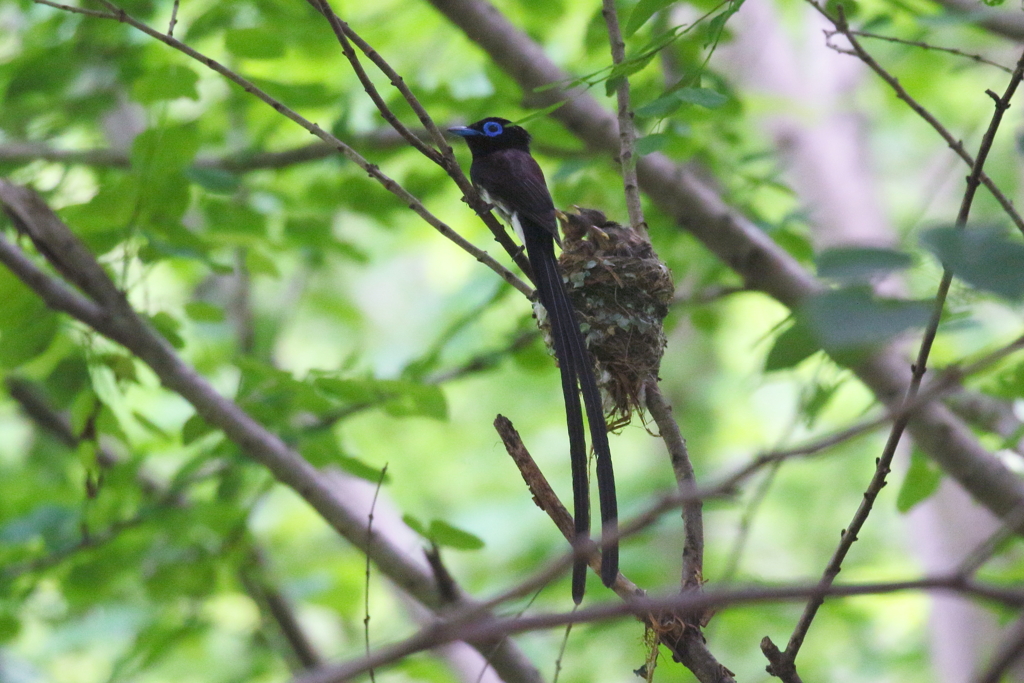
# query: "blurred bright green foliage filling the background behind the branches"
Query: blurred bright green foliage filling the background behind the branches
{"points": [[342, 322]]}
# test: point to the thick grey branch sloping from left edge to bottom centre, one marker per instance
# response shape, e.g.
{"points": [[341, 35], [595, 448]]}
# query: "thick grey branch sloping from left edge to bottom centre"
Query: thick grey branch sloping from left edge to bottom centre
{"points": [[123, 325]]}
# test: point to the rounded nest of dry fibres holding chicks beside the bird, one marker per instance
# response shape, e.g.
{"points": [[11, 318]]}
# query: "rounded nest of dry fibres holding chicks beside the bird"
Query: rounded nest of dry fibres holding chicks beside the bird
{"points": [[622, 292]]}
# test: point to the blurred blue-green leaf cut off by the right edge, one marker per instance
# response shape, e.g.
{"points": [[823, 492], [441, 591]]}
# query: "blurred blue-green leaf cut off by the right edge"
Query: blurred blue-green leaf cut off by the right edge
{"points": [[984, 257]]}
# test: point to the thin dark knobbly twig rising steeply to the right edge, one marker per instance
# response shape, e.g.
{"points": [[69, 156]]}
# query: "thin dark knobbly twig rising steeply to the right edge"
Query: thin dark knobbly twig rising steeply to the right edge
{"points": [[919, 369]]}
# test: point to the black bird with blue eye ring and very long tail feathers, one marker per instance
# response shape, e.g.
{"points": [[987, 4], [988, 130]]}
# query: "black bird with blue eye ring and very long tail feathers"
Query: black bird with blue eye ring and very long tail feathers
{"points": [[508, 178]]}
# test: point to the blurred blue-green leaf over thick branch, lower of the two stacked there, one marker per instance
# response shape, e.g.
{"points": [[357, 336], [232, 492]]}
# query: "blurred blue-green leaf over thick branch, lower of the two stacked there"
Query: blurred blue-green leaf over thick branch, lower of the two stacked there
{"points": [[854, 319]]}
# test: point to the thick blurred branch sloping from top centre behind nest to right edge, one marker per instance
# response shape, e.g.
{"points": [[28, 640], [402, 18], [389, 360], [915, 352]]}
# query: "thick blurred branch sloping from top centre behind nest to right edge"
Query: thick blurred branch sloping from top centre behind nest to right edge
{"points": [[737, 241]]}
